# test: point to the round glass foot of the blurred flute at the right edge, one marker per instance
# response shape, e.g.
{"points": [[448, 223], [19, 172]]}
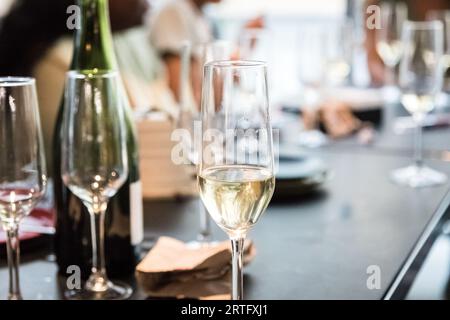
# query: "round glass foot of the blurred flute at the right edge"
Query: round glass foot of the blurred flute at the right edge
{"points": [[418, 177]]}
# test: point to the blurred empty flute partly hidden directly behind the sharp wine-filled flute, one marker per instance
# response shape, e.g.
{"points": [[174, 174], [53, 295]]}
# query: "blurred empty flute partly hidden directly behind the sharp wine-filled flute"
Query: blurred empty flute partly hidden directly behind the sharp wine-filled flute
{"points": [[193, 58]]}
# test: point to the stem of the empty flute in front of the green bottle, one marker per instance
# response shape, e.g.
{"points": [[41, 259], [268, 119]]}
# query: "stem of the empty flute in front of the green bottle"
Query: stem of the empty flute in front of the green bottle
{"points": [[98, 280]]}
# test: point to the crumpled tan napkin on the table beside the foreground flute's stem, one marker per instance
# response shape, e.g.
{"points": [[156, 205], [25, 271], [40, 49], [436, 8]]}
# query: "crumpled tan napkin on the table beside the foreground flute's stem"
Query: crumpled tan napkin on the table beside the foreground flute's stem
{"points": [[172, 269]]}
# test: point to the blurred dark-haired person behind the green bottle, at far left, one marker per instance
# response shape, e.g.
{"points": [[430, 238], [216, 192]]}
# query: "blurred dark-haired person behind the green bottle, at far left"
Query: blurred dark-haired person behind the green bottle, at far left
{"points": [[35, 41]]}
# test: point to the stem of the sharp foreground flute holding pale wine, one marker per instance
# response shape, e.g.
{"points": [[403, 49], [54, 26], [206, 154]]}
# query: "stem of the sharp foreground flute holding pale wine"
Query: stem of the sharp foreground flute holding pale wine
{"points": [[237, 246]]}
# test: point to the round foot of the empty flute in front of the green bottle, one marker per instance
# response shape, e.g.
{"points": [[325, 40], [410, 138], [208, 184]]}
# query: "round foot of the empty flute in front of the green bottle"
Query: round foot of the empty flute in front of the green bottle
{"points": [[114, 291]]}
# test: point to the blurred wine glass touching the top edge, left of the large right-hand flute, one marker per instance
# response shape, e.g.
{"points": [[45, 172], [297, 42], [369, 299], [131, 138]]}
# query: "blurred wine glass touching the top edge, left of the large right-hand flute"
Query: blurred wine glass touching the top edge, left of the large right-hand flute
{"points": [[388, 41]]}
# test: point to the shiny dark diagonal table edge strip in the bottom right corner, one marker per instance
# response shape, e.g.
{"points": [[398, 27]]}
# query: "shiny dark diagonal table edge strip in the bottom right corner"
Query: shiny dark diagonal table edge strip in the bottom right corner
{"points": [[400, 285]]}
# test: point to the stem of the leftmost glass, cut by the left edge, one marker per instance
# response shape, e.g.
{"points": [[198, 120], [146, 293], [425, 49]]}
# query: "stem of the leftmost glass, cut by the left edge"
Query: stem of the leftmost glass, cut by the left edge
{"points": [[13, 252]]}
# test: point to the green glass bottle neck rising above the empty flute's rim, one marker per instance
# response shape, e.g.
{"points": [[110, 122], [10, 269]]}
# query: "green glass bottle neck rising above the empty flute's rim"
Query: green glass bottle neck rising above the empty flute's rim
{"points": [[93, 42]]}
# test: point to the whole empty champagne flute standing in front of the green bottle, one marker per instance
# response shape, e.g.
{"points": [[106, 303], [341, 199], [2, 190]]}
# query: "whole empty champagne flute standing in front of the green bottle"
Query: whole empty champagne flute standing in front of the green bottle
{"points": [[94, 163]]}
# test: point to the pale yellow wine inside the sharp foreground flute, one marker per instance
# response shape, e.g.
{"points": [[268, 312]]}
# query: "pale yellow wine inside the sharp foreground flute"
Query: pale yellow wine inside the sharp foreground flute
{"points": [[236, 196]]}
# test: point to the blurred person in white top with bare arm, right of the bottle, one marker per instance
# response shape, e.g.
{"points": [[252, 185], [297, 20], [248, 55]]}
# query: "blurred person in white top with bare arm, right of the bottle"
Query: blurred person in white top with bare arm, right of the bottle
{"points": [[177, 22]]}
